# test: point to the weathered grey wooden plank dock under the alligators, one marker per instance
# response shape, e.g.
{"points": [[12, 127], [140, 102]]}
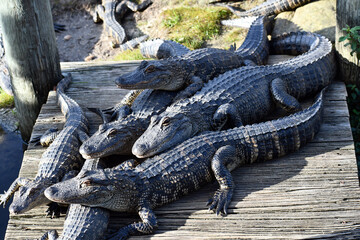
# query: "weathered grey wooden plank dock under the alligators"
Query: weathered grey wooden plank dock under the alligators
{"points": [[313, 193]]}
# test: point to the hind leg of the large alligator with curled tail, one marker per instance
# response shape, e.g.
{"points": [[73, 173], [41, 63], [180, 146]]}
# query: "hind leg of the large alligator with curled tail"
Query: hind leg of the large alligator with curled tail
{"points": [[282, 97]]}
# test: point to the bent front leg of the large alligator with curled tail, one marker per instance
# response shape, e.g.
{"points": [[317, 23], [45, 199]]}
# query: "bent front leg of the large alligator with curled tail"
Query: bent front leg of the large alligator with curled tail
{"points": [[226, 116]]}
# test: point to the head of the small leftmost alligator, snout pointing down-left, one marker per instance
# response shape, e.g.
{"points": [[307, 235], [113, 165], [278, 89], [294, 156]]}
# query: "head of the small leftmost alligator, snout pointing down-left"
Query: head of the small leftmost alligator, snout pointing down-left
{"points": [[29, 195]]}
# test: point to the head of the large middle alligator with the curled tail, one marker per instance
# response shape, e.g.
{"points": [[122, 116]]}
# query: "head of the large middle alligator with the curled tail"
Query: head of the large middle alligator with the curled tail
{"points": [[165, 131]]}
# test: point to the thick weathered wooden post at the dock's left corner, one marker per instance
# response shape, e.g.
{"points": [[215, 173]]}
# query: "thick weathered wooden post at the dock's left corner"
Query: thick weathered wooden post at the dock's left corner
{"points": [[31, 55]]}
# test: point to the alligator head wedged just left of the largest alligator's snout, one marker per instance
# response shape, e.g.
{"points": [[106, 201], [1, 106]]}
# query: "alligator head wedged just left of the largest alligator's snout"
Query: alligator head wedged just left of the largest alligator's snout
{"points": [[112, 138]]}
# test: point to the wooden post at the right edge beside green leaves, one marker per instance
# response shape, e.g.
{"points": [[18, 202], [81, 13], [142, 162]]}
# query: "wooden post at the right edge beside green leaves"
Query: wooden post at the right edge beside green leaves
{"points": [[347, 13]]}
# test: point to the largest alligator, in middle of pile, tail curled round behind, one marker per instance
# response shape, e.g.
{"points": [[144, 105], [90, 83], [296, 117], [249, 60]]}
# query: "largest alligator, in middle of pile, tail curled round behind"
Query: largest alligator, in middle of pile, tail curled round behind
{"points": [[244, 95]]}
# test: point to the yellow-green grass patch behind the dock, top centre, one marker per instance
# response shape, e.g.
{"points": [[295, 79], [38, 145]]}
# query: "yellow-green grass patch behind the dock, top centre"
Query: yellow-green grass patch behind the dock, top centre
{"points": [[192, 26]]}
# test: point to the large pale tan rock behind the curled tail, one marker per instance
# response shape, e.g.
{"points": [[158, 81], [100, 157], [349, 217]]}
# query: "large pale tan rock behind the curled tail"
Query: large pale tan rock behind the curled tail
{"points": [[318, 17]]}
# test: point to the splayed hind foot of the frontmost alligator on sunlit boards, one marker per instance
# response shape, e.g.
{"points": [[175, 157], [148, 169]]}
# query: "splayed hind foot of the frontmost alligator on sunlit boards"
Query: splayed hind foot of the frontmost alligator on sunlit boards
{"points": [[221, 200]]}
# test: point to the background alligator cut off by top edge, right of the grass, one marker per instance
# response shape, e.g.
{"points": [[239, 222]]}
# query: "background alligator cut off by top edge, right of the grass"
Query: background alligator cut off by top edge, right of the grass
{"points": [[270, 7]]}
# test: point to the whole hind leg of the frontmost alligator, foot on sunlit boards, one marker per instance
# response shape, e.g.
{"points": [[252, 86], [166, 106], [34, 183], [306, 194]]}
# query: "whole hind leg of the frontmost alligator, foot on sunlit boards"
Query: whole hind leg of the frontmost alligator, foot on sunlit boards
{"points": [[222, 197]]}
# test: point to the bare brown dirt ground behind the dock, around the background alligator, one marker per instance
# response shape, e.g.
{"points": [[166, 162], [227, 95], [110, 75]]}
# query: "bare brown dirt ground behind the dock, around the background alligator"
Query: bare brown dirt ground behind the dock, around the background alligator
{"points": [[84, 40]]}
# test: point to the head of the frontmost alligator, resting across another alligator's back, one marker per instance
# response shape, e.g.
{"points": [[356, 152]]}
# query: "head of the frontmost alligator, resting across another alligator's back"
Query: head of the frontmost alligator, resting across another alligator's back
{"points": [[96, 188]]}
